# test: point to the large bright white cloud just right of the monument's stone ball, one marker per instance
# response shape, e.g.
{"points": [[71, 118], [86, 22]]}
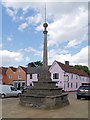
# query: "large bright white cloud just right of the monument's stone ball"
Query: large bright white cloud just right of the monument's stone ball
{"points": [[68, 28]]}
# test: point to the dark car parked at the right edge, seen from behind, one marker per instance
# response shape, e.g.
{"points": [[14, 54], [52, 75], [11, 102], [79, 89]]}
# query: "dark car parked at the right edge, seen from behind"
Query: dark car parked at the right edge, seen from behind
{"points": [[83, 92]]}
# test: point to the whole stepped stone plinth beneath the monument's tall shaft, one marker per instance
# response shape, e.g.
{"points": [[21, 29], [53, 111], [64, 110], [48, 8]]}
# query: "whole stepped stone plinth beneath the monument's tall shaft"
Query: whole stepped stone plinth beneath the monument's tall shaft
{"points": [[44, 94]]}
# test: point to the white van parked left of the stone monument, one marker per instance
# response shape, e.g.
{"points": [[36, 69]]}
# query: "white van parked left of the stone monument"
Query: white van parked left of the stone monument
{"points": [[8, 90]]}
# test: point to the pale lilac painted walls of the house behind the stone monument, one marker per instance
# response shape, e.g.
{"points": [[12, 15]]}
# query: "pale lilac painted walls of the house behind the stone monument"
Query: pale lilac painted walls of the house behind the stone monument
{"points": [[55, 68]]}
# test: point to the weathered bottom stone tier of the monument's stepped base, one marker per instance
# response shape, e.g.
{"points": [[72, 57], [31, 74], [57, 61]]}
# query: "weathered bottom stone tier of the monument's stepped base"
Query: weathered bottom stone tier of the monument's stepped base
{"points": [[49, 102]]}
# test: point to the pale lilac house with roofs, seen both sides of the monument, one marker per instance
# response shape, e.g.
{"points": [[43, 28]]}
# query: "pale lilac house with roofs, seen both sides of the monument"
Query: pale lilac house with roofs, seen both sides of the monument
{"points": [[67, 77]]}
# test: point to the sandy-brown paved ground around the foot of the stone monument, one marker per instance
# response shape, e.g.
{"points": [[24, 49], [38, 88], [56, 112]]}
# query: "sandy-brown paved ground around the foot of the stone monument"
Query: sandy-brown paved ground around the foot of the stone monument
{"points": [[76, 109]]}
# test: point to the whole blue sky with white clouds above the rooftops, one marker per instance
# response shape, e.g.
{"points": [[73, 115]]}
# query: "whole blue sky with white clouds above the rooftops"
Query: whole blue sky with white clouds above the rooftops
{"points": [[22, 32]]}
